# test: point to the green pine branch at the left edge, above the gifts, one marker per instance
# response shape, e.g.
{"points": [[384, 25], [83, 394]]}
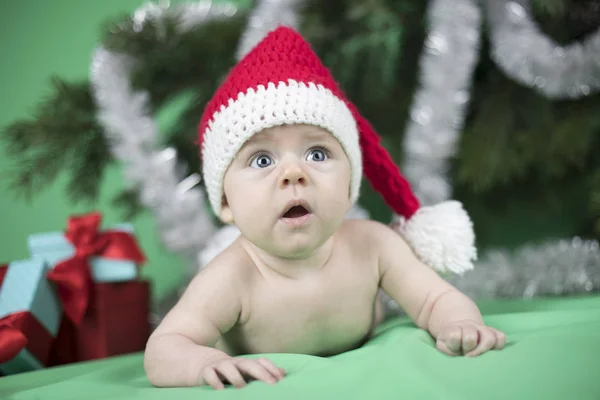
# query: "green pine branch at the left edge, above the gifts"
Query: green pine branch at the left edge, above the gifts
{"points": [[44, 145]]}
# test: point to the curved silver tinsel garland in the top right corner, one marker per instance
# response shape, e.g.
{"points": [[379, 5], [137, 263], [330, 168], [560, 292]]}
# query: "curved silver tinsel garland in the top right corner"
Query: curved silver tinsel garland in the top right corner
{"points": [[530, 57]]}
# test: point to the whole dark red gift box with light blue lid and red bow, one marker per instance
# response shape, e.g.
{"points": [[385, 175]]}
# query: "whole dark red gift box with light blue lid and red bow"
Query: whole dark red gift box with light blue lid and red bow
{"points": [[95, 273]]}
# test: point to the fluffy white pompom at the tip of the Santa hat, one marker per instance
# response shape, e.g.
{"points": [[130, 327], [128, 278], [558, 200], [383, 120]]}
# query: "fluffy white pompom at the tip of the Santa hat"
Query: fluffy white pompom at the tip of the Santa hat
{"points": [[441, 236]]}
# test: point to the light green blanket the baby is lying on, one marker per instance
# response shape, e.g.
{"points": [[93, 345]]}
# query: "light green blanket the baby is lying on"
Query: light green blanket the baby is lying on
{"points": [[552, 352]]}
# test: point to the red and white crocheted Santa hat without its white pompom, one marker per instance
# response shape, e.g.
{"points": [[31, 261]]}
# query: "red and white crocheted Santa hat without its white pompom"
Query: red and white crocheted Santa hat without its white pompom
{"points": [[282, 81]]}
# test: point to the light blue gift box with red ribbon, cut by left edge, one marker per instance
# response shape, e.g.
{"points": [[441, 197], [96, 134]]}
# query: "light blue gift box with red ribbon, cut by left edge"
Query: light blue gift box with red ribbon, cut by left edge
{"points": [[30, 313]]}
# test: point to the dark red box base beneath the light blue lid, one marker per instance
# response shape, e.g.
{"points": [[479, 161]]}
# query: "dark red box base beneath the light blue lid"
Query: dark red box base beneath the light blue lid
{"points": [[116, 322]]}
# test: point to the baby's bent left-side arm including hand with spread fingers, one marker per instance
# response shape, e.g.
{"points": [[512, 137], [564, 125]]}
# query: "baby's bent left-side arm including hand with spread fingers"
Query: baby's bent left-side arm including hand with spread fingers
{"points": [[180, 352]]}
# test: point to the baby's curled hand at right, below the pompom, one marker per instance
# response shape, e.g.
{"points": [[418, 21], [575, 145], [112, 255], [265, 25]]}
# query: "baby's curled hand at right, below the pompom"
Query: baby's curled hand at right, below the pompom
{"points": [[469, 338]]}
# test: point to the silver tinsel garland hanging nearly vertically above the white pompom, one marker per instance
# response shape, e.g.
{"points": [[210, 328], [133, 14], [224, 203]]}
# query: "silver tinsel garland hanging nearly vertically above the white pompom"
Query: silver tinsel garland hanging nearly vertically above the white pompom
{"points": [[437, 114]]}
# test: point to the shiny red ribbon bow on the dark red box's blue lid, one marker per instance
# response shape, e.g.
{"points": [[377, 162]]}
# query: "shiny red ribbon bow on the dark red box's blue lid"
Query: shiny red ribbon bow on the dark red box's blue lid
{"points": [[72, 276]]}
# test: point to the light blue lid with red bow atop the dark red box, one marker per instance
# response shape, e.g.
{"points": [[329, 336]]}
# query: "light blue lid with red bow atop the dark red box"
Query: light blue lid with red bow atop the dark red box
{"points": [[85, 254]]}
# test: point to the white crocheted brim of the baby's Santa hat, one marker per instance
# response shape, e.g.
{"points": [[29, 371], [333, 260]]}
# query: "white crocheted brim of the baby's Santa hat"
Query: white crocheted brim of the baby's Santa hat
{"points": [[262, 108]]}
